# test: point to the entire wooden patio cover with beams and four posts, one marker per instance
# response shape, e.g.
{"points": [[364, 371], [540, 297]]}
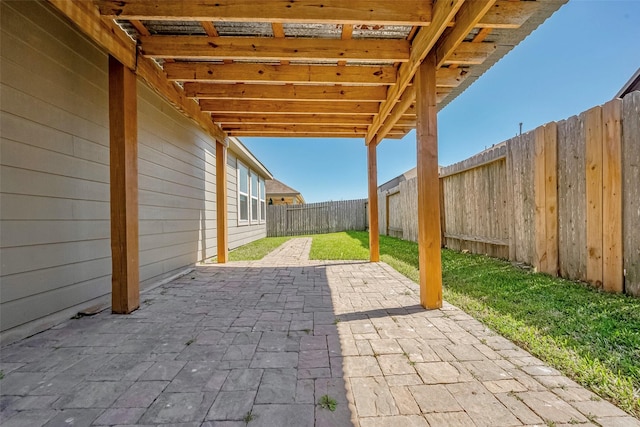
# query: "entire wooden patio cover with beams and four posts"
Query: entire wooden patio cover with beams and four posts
{"points": [[370, 69]]}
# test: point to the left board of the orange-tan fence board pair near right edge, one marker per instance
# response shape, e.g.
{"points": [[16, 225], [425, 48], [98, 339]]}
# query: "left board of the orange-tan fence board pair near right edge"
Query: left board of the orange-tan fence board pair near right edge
{"points": [[593, 156]]}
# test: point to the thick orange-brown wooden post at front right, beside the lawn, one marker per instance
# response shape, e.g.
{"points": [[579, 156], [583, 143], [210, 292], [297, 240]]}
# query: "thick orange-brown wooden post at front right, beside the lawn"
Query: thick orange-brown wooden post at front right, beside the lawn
{"points": [[428, 188]]}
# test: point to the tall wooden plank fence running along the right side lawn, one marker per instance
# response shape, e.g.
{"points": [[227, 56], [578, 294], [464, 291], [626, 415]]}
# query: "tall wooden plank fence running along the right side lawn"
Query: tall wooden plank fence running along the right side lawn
{"points": [[564, 198]]}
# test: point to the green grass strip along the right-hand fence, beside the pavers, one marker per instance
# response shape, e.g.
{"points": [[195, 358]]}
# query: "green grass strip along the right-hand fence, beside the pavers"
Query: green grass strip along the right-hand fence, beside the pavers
{"points": [[592, 337]]}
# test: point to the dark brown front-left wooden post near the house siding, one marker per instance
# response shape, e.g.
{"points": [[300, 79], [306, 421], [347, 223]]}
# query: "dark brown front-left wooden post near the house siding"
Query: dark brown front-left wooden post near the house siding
{"points": [[123, 140]]}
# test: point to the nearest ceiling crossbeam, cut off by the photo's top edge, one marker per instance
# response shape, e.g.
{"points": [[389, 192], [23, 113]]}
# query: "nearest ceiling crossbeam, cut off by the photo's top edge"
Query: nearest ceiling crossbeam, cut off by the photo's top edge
{"points": [[381, 12]]}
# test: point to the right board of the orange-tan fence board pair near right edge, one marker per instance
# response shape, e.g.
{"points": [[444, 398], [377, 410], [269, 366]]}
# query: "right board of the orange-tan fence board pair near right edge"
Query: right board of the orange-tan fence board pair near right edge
{"points": [[612, 269]]}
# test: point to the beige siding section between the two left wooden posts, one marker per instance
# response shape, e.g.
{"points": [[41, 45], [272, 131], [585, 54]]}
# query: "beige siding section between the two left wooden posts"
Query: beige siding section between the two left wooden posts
{"points": [[176, 189]]}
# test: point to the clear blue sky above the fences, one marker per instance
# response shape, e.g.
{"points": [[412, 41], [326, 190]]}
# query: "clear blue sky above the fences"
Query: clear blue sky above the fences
{"points": [[577, 59]]}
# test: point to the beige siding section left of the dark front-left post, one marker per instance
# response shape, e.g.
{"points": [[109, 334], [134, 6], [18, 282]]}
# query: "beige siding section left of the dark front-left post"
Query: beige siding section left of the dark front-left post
{"points": [[54, 166]]}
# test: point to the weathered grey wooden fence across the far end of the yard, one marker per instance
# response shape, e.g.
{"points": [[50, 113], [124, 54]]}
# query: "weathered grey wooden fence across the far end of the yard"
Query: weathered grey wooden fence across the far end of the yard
{"points": [[315, 218]]}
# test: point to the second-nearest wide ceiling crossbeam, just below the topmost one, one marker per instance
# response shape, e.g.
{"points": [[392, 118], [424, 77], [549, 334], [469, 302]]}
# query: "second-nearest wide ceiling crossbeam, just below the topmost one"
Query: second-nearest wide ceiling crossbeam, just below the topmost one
{"points": [[275, 49]]}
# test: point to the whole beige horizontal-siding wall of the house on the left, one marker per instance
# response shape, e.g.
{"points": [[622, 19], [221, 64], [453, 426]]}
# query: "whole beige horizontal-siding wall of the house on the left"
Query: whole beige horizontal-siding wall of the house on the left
{"points": [[54, 175]]}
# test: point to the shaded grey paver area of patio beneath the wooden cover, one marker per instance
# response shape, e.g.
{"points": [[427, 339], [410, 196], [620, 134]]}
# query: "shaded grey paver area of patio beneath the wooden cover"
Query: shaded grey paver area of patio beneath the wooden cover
{"points": [[223, 343]]}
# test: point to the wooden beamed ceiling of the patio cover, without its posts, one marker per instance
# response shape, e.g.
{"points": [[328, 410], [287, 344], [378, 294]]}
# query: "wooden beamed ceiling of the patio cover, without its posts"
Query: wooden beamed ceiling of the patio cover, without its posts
{"points": [[321, 68]]}
